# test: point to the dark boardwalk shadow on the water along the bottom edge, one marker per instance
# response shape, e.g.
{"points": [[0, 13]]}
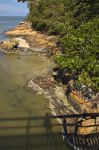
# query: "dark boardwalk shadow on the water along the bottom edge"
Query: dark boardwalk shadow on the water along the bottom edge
{"points": [[33, 142]]}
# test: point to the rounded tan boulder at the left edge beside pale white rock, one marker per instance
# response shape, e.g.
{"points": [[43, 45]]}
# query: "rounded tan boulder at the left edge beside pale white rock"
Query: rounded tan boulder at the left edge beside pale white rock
{"points": [[10, 44]]}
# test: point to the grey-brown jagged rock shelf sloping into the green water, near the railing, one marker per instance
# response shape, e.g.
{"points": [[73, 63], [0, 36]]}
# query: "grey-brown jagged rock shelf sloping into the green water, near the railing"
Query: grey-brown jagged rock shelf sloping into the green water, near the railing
{"points": [[47, 86]]}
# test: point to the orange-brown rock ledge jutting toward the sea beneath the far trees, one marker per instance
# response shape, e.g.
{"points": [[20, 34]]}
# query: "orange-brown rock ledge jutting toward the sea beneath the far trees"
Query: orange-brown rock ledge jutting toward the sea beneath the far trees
{"points": [[38, 42]]}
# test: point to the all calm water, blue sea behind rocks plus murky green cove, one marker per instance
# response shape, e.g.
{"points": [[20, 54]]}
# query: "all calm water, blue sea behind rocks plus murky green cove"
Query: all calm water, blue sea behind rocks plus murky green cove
{"points": [[16, 100]]}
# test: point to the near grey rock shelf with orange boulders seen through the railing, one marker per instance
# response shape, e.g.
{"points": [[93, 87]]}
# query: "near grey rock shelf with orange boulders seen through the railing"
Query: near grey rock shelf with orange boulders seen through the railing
{"points": [[60, 105]]}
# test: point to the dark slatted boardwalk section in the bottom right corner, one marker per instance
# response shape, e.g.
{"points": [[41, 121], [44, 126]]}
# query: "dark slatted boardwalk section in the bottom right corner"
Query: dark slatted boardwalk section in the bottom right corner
{"points": [[89, 142]]}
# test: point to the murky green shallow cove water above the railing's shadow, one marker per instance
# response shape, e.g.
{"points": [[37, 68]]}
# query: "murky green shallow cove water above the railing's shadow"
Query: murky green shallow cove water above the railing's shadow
{"points": [[15, 71]]}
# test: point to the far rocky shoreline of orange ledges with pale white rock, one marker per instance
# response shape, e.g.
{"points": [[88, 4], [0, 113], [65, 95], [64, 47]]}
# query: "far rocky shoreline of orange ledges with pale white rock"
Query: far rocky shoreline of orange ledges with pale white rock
{"points": [[38, 43]]}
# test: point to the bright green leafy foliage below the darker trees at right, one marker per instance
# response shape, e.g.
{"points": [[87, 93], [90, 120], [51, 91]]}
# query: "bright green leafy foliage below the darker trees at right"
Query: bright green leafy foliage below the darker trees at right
{"points": [[81, 54]]}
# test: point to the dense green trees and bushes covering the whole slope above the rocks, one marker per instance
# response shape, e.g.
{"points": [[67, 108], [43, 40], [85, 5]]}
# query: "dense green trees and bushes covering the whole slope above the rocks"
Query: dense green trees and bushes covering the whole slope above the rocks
{"points": [[76, 23]]}
